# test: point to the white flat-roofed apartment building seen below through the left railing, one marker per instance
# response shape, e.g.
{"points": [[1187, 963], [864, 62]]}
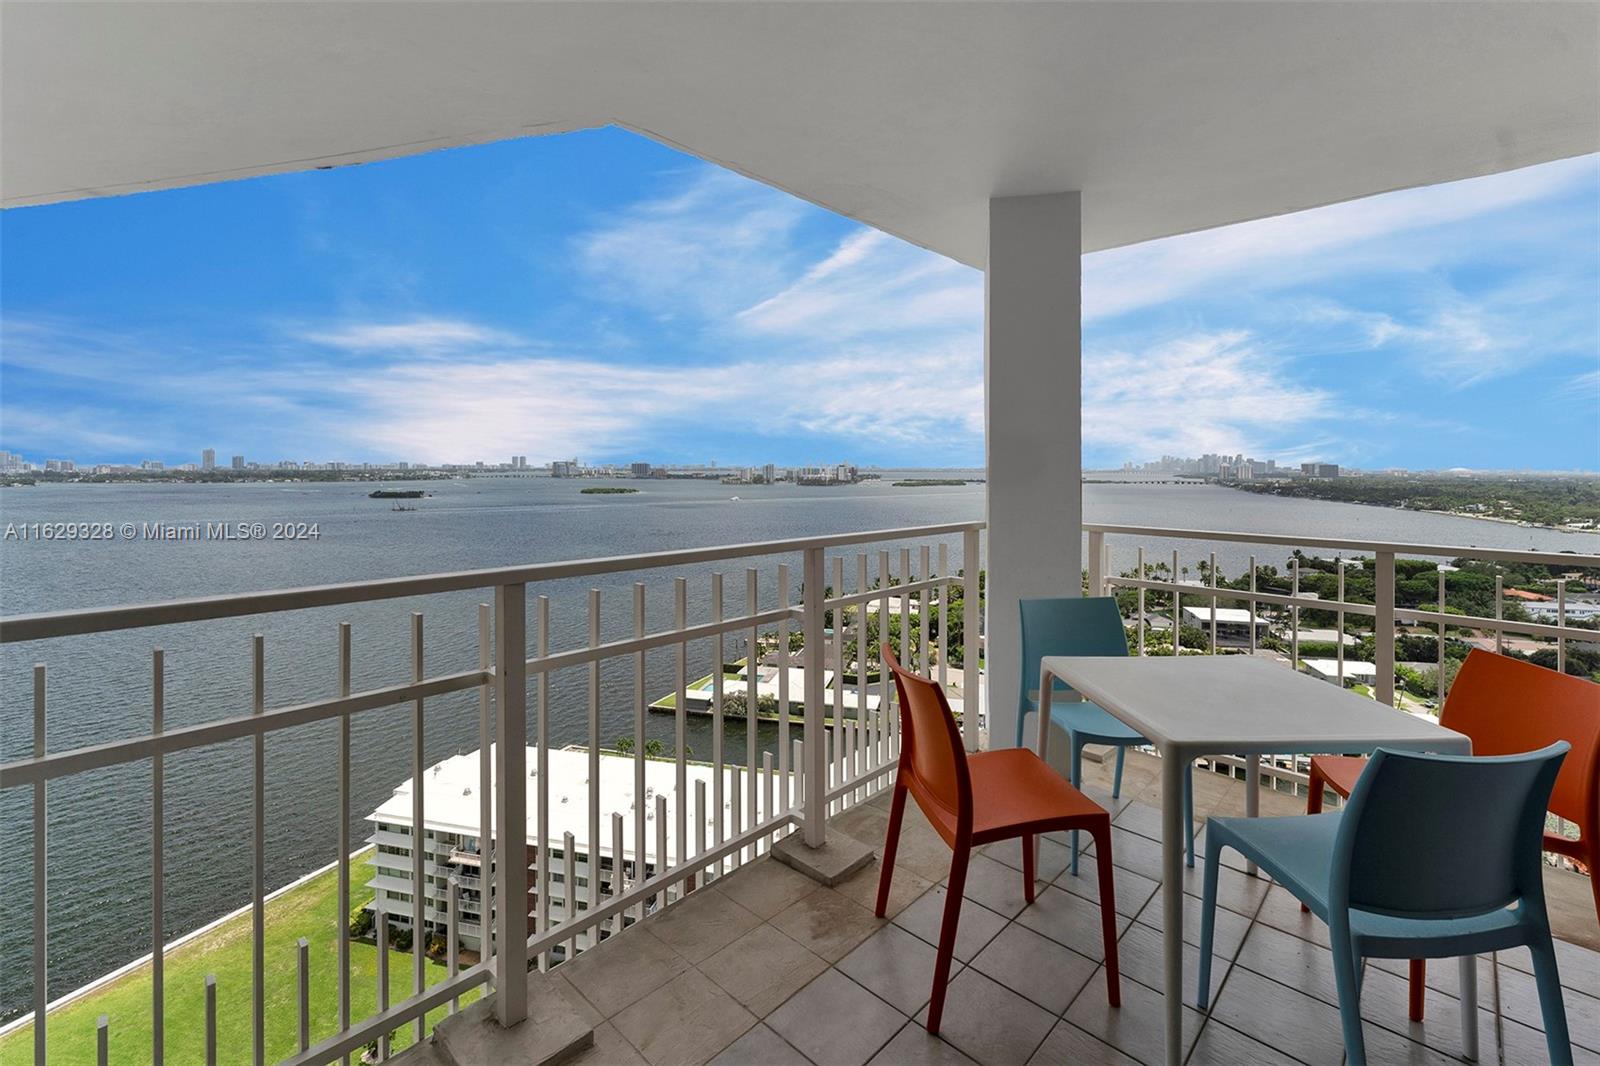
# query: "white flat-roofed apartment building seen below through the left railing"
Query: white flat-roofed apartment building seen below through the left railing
{"points": [[450, 835]]}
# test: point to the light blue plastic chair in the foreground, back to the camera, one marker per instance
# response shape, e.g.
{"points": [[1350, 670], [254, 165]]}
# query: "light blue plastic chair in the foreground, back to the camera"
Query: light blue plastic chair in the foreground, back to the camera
{"points": [[1433, 857]]}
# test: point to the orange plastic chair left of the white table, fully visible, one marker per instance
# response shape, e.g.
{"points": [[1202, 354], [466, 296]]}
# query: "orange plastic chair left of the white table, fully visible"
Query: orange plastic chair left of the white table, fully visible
{"points": [[978, 799]]}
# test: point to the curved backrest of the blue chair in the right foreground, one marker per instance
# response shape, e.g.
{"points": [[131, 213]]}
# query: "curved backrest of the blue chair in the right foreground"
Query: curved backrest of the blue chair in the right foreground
{"points": [[1444, 836]]}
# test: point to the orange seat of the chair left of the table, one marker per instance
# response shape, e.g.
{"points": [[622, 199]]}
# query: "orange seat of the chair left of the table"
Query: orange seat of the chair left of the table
{"points": [[1015, 793]]}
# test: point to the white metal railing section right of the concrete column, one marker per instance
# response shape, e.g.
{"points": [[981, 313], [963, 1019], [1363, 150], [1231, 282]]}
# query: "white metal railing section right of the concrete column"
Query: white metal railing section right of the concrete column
{"points": [[1385, 614]]}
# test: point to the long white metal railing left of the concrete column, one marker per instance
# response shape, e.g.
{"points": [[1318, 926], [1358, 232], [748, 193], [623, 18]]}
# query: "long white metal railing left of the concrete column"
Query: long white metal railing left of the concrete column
{"points": [[818, 764]]}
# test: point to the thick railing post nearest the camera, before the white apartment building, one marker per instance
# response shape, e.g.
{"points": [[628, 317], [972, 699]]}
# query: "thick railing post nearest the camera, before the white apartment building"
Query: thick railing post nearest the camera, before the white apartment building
{"points": [[511, 799]]}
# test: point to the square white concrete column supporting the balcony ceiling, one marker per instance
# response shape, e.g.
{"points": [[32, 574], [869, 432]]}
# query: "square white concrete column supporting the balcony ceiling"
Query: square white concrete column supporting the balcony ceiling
{"points": [[1033, 417]]}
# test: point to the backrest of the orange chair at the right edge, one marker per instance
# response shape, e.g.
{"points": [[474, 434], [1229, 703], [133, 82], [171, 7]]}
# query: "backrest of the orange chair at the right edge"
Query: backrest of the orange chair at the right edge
{"points": [[1508, 705]]}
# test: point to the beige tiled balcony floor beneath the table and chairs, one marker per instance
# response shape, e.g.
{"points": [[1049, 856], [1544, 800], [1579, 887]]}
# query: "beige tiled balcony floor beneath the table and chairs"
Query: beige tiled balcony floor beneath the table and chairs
{"points": [[767, 968]]}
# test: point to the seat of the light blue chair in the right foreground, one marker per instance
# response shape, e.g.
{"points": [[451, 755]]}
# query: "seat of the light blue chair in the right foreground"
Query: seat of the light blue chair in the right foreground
{"points": [[1298, 854]]}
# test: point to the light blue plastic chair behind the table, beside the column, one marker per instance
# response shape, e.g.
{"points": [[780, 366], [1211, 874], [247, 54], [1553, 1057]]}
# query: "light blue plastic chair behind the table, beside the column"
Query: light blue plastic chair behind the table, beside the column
{"points": [[1082, 627]]}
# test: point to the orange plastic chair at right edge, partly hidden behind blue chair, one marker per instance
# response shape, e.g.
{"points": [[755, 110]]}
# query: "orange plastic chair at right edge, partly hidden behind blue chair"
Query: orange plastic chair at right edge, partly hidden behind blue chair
{"points": [[1510, 707]]}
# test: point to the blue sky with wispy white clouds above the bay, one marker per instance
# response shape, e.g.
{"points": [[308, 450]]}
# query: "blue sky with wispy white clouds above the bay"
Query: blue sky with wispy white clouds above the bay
{"points": [[602, 297]]}
